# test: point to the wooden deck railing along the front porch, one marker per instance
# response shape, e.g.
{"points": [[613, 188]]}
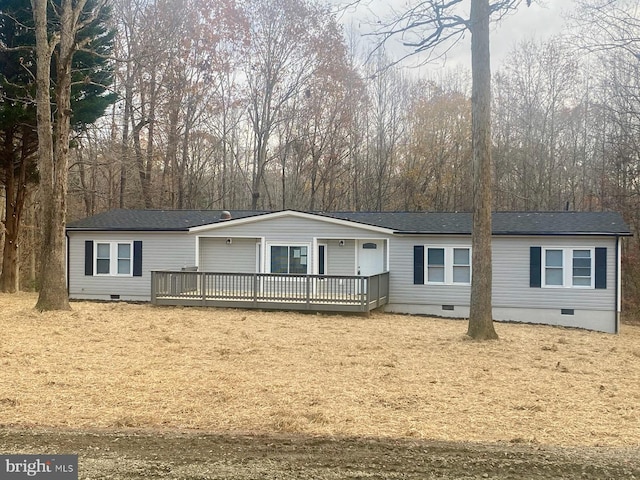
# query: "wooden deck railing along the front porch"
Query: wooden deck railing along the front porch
{"points": [[270, 290]]}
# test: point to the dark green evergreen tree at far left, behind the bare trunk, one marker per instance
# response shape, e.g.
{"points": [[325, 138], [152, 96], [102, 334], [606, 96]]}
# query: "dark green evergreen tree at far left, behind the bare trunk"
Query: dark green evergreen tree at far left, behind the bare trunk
{"points": [[92, 76]]}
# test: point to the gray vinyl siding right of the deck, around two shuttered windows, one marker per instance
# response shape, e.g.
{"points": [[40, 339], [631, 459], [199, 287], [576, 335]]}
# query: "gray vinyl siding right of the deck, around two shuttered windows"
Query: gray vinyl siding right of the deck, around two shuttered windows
{"points": [[510, 275]]}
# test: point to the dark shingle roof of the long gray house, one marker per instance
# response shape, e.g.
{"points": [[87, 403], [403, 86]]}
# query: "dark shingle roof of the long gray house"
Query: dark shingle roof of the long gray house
{"points": [[504, 223]]}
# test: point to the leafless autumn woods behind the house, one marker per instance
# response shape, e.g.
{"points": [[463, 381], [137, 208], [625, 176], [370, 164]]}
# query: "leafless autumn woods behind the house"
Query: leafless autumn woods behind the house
{"points": [[275, 104]]}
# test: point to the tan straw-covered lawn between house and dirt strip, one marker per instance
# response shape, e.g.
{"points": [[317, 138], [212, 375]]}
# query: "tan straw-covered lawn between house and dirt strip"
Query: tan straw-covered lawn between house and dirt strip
{"points": [[121, 366]]}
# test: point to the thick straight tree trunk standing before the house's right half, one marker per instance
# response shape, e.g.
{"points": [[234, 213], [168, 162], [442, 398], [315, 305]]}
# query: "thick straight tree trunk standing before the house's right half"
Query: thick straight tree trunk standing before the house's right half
{"points": [[480, 317]]}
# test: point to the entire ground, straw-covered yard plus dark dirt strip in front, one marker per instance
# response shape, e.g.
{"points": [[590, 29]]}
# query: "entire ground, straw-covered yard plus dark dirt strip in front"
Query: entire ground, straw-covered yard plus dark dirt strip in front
{"points": [[145, 392]]}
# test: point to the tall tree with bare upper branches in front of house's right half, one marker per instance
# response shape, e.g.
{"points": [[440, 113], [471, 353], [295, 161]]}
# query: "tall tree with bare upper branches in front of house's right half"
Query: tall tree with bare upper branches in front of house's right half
{"points": [[424, 27]]}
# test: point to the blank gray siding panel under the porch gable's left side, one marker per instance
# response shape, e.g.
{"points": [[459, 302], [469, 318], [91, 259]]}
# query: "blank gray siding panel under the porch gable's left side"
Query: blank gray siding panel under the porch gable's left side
{"points": [[239, 256]]}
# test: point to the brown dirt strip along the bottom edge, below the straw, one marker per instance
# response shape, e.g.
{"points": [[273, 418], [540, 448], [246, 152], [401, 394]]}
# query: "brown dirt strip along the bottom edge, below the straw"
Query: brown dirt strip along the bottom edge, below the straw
{"points": [[191, 456]]}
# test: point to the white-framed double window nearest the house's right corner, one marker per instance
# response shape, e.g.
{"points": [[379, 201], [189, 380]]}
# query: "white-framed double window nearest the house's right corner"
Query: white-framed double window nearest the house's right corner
{"points": [[568, 267]]}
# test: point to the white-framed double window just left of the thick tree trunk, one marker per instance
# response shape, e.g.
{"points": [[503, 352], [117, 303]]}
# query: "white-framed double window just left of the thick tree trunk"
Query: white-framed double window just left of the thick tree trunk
{"points": [[448, 265]]}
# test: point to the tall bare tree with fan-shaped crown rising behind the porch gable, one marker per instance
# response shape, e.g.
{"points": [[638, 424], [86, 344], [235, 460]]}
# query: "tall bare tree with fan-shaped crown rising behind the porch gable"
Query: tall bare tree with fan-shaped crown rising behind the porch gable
{"points": [[288, 40]]}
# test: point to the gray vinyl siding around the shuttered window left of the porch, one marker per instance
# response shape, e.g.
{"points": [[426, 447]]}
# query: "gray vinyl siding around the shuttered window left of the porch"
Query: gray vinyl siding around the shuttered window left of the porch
{"points": [[160, 251]]}
